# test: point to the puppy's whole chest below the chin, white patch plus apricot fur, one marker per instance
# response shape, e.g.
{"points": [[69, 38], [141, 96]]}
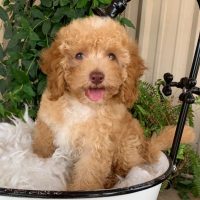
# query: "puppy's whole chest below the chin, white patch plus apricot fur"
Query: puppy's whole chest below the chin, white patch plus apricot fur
{"points": [[81, 124]]}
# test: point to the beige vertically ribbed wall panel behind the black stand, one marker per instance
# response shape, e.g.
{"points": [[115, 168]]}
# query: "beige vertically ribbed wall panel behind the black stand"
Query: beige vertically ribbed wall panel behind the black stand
{"points": [[167, 33]]}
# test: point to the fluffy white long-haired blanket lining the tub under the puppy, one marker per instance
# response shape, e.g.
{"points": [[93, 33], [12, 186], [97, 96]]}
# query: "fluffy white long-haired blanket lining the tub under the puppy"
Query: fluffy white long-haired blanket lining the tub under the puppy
{"points": [[21, 169]]}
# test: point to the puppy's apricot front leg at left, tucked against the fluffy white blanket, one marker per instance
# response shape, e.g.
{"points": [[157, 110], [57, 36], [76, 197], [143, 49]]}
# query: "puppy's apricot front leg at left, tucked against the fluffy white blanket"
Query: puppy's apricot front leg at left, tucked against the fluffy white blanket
{"points": [[43, 140]]}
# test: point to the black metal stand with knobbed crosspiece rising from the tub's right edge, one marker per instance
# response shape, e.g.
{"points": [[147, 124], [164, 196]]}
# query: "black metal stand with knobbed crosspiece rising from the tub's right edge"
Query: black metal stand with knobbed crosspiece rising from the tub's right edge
{"points": [[188, 86]]}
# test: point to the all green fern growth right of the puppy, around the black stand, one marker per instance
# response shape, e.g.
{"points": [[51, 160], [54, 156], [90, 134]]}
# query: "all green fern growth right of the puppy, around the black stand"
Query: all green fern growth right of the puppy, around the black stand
{"points": [[155, 111]]}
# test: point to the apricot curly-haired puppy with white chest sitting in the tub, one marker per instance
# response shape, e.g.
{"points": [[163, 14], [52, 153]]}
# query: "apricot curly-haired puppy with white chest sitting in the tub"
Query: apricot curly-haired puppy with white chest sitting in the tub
{"points": [[93, 69]]}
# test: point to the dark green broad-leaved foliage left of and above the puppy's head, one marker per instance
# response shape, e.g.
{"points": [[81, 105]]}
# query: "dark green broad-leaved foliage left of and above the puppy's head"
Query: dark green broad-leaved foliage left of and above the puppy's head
{"points": [[28, 29]]}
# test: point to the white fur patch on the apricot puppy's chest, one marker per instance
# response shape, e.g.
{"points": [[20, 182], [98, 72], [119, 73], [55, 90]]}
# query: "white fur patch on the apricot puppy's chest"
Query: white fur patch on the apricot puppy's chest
{"points": [[75, 116]]}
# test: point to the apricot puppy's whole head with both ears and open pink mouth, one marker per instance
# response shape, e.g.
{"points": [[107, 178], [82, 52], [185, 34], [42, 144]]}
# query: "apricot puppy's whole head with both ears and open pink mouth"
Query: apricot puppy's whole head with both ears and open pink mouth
{"points": [[94, 60]]}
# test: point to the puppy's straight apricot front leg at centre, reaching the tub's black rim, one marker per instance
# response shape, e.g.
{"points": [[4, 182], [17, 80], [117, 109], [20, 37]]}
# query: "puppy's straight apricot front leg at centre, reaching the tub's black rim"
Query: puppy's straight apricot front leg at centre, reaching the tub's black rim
{"points": [[91, 171]]}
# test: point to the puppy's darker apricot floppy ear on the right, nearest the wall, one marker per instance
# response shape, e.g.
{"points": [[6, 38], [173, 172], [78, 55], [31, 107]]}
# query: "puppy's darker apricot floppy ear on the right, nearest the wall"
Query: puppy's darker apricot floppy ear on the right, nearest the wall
{"points": [[134, 70]]}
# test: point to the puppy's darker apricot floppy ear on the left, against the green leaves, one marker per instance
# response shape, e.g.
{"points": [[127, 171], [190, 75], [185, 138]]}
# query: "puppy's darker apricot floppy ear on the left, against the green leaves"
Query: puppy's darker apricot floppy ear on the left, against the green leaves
{"points": [[50, 65]]}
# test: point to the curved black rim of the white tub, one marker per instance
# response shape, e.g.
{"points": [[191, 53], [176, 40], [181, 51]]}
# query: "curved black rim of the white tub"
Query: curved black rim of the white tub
{"points": [[87, 194]]}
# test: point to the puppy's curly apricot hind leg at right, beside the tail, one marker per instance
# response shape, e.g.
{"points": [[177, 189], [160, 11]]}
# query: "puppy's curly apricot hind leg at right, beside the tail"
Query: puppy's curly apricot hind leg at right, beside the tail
{"points": [[130, 148]]}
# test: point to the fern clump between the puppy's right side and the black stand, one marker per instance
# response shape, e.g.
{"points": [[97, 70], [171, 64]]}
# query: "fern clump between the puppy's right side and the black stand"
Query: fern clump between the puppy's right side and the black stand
{"points": [[153, 110]]}
